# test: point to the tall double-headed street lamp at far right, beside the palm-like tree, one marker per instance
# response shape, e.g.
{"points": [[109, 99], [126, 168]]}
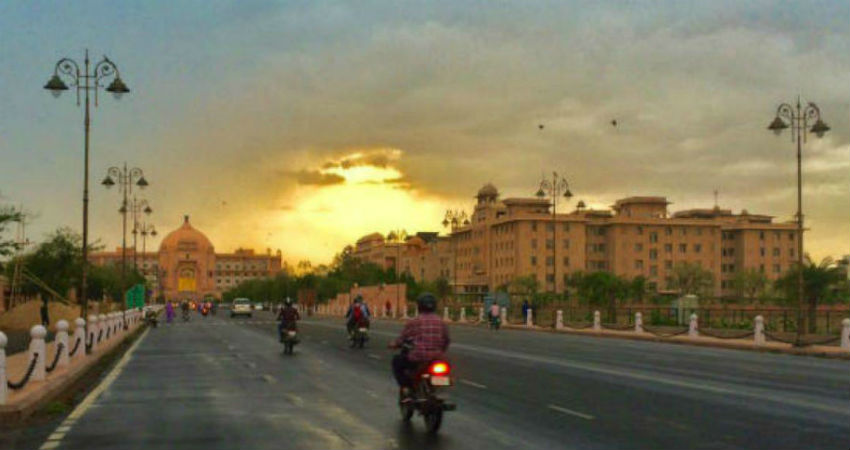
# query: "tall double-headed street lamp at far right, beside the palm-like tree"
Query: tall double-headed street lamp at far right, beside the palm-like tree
{"points": [[797, 118]]}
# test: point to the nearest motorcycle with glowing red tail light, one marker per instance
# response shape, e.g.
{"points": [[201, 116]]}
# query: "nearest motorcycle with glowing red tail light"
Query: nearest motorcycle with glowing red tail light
{"points": [[423, 397]]}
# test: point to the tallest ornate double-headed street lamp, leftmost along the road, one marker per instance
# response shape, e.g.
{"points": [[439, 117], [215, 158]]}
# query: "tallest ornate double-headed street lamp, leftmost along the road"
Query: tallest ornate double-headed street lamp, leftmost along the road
{"points": [[86, 81]]}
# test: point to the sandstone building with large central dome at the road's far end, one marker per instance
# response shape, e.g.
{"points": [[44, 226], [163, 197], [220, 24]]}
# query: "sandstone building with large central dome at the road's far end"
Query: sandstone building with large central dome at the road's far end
{"points": [[186, 266]]}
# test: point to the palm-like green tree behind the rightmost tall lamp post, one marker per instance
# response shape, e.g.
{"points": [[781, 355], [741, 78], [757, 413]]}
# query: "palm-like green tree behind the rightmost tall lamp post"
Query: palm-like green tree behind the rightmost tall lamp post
{"points": [[823, 282]]}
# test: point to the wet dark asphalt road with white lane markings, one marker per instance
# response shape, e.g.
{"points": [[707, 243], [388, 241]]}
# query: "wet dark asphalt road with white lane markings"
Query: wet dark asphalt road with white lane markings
{"points": [[220, 383]]}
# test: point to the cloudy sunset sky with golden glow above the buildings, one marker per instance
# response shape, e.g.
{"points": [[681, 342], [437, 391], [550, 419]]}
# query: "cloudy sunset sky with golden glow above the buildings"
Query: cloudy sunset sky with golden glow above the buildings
{"points": [[304, 125]]}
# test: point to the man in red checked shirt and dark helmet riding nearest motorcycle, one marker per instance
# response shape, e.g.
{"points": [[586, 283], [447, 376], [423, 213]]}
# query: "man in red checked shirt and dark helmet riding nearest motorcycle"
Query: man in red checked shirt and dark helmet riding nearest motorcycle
{"points": [[430, 339]]}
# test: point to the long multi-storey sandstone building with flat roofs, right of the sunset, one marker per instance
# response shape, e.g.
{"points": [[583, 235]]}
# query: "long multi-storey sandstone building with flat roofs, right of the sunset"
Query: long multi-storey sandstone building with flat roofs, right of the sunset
{"points": [[512, 237]]}
